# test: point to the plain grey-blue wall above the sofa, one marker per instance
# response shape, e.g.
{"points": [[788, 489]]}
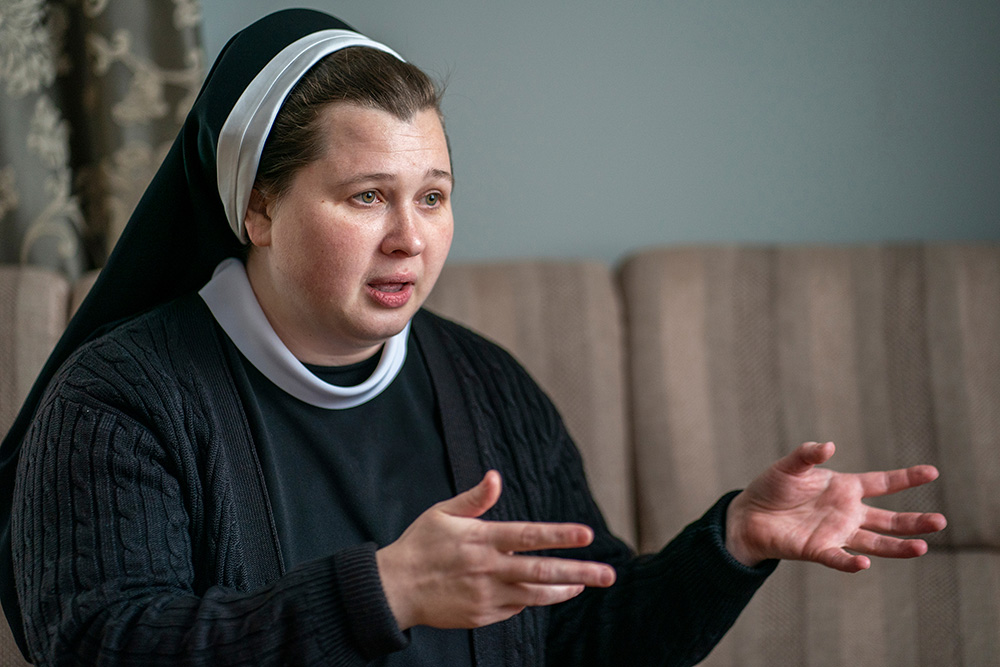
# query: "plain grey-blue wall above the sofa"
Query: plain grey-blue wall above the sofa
{"points": [[590, 128]]}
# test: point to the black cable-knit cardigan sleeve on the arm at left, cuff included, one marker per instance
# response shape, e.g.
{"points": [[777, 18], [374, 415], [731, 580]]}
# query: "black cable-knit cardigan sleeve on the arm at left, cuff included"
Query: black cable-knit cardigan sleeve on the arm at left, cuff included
{"points": [[127, 549]]}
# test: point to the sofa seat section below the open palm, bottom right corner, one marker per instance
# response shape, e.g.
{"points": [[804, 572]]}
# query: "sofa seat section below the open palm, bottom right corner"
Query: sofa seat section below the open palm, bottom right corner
{"points": [[939, 610]]}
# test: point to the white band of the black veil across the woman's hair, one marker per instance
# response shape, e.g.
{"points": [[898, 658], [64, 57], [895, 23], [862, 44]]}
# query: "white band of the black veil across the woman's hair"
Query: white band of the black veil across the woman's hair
{"points": [[248, 124]]}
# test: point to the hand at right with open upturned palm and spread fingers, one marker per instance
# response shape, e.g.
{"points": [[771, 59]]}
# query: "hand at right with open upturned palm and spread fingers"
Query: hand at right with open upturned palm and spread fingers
{"points": [[798, 511]]}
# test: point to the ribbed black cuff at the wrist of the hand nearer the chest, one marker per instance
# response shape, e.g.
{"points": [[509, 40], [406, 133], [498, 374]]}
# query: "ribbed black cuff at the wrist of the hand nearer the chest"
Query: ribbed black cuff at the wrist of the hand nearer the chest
{"points": [[370, 619]]}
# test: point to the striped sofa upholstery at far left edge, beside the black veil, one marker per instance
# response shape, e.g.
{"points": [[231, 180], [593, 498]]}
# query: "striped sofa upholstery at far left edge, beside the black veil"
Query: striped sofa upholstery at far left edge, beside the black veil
{"points": [[33, 305]]}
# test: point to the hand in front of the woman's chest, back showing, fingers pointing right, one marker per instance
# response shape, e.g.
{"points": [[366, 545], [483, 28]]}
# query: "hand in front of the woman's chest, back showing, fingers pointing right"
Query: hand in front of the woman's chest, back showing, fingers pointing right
{"points": [[451, 569]]}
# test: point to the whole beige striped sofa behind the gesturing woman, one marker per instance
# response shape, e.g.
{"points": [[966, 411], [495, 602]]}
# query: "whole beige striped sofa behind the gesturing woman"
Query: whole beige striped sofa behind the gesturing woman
{"points": [[685, 371]]}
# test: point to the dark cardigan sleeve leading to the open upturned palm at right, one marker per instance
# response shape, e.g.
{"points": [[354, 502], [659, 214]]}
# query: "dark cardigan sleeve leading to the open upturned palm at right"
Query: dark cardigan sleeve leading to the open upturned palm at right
{"points": [[668, 608]]}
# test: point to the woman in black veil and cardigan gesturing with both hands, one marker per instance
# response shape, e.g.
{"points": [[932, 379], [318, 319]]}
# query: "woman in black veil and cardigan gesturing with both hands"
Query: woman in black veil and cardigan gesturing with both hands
{"points": [[255, 458]]}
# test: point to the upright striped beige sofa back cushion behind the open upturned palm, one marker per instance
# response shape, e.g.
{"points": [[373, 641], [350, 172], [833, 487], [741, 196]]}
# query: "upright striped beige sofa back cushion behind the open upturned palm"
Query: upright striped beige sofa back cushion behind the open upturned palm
{"points": [[740, 354]]}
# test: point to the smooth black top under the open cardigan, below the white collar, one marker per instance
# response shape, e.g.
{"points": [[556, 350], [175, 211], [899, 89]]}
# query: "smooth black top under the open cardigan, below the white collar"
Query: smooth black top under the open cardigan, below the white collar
{"points": [[337, 478]]}
